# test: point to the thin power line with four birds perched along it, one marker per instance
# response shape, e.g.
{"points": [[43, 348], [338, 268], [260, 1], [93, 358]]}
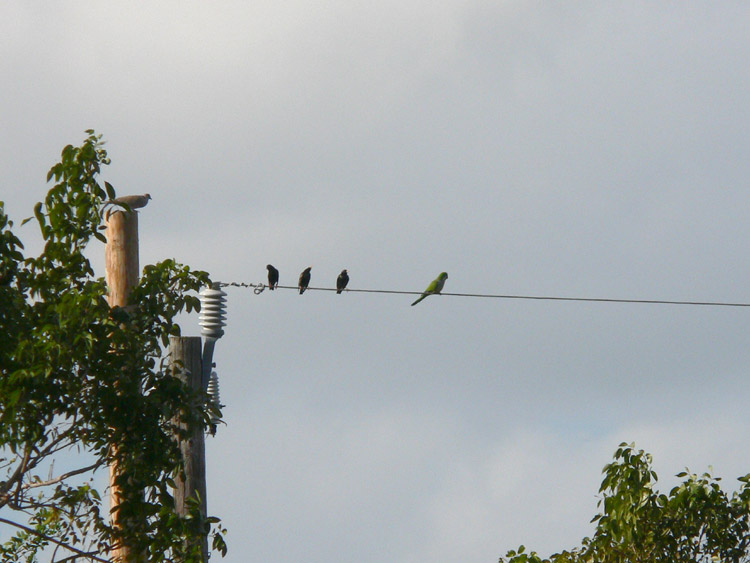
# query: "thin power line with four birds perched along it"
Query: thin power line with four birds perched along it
{"points": [[260, 287]]}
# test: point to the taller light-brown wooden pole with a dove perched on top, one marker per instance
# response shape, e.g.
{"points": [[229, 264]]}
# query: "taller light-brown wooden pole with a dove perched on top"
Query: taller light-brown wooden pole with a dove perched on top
{"points": [[121, 262]]}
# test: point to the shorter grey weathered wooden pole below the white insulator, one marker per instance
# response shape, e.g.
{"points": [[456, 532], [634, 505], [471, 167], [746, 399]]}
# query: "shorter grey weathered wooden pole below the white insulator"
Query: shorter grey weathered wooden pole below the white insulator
{"points": [[185, 363]]}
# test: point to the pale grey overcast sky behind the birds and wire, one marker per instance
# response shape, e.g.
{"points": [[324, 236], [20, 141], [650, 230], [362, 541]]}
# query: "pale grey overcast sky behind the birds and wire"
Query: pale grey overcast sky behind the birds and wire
{"points": [[587, 149]]}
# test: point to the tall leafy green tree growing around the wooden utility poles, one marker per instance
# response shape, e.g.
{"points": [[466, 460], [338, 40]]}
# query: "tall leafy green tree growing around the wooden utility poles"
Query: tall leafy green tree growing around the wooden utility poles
{"points": [[77, 377]]}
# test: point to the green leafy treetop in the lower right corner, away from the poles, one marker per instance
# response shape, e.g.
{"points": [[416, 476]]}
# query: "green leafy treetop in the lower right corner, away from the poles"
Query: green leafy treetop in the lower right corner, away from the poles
{"points": [[697, 522]]}
